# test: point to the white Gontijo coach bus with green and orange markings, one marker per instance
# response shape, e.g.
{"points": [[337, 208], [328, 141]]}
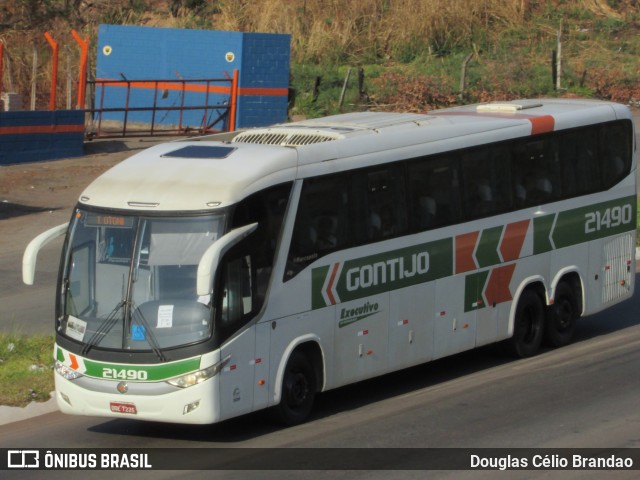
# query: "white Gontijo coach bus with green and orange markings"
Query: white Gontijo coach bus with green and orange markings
{"points": [[209, 278]]}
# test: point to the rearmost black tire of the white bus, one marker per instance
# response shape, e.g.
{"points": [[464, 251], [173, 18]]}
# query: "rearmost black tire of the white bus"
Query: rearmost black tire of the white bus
{"points": [[562, 317]]}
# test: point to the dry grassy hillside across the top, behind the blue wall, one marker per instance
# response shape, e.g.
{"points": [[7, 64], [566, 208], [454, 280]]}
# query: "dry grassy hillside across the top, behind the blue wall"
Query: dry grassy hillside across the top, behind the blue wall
{"points": [[431, 34]]}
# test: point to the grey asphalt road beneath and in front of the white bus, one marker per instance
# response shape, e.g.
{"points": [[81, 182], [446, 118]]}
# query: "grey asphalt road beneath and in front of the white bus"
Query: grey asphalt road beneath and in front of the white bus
{"points": [[584, 395]]}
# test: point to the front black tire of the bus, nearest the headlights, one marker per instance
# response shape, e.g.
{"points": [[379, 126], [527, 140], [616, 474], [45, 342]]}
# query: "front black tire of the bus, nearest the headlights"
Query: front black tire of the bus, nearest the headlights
{"points": [[298, 390]]}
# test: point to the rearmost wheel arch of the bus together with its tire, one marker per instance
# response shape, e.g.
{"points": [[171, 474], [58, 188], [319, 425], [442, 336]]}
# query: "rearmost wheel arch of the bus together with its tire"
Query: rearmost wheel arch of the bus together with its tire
{"points": [[562, 314]]}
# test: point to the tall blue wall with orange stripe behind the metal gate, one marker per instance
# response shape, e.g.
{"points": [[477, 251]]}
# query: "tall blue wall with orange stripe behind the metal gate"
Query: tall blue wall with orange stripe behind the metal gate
{"points": [[148, 53]]}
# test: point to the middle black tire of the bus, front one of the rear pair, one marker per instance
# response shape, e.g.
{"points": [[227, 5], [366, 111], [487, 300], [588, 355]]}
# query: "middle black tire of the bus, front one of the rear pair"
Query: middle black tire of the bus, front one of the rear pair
{"points": [[528, 326]]}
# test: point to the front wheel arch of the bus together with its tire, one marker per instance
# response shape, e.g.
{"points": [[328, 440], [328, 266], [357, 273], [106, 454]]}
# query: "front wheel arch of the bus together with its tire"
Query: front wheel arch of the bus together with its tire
{"points": [[301, 378]]}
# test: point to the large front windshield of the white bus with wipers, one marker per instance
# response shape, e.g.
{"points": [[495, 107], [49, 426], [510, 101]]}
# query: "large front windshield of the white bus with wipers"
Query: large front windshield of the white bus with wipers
{"points": [[129, 282]]}
